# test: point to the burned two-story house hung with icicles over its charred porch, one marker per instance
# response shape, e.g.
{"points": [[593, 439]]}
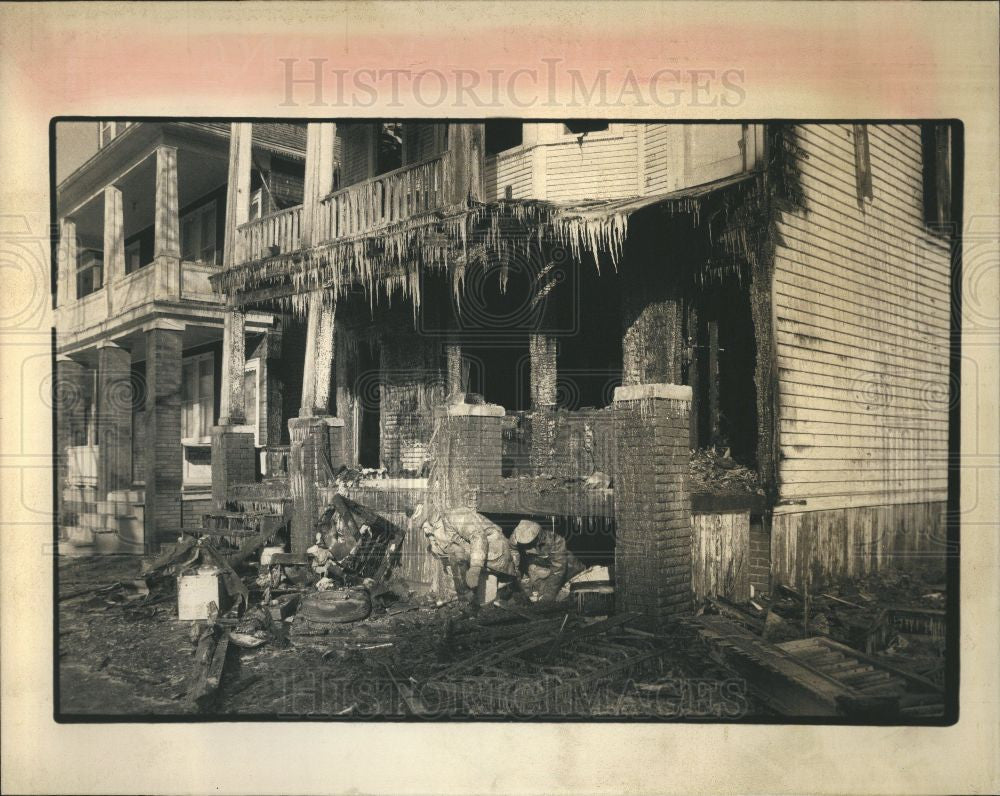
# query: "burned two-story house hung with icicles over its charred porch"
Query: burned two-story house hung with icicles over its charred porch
{"points": [[794, 277]]}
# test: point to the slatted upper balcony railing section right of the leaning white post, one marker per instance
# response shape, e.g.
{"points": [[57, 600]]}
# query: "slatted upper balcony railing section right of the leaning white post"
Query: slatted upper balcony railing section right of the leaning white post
{"points": [[383, 200]]}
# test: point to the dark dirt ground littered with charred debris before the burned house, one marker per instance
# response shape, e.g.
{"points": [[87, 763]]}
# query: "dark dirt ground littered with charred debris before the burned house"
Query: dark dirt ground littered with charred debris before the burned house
{"points": [[136, 660]]}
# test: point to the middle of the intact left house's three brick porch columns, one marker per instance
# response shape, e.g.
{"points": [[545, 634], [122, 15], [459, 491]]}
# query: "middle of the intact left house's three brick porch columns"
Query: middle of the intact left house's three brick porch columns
{"points": [[114, 419]]}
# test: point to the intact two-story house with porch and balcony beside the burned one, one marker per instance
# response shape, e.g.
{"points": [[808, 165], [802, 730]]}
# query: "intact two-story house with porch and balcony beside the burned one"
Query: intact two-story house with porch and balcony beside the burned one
{"points": [[139, 328]]}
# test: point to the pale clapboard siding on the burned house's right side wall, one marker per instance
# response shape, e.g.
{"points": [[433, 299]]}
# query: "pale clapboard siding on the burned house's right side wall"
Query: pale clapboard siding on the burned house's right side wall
{"points": [[861, 309]]}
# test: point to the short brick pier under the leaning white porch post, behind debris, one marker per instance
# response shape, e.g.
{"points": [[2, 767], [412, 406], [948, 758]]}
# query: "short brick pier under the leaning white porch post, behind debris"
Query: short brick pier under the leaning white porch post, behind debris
{"points": [[316, 452]]}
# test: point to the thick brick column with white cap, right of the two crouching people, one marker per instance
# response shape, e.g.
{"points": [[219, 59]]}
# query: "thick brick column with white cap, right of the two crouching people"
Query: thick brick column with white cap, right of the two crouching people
{"points": [[652, 502]]}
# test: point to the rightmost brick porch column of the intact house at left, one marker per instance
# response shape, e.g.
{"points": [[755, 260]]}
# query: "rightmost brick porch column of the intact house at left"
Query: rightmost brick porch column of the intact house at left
{"points": [[164, 454]]}
